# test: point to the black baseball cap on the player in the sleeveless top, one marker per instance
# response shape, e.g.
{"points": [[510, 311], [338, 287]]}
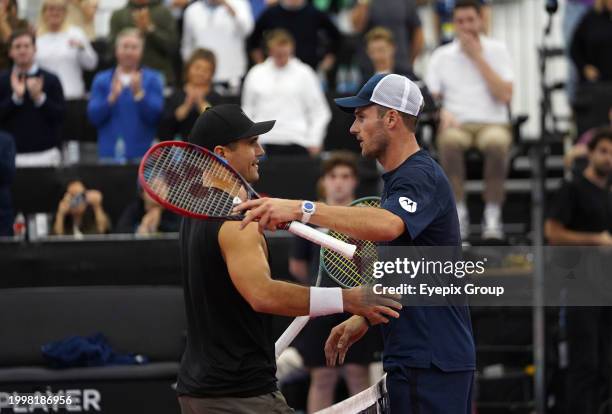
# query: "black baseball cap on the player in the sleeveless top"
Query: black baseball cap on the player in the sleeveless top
{"points": [[222, 124]]}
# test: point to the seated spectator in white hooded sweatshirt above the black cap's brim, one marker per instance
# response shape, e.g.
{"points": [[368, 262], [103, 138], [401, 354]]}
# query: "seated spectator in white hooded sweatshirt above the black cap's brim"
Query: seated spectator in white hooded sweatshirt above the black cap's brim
{"points": [[285, 87]]}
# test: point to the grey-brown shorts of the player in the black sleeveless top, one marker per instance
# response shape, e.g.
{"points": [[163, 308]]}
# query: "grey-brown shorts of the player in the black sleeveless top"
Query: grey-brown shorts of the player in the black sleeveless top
{"points": [[272, 403]]}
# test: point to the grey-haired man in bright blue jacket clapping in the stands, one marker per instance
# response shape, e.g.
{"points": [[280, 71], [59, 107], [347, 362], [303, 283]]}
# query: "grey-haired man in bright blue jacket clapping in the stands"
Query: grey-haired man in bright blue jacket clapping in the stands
{"points": [[126, 102]]}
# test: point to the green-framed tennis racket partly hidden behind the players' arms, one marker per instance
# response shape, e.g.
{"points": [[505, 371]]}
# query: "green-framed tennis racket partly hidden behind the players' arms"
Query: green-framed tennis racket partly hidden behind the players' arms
{"points": [[347, 273]]}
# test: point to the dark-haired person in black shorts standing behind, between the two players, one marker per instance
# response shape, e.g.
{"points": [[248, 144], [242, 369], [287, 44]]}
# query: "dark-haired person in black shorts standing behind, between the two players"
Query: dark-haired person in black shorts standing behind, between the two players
{"points": [[338, 183]]}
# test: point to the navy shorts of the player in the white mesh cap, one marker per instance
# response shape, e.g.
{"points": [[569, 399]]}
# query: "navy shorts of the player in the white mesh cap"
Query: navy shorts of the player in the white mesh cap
{"points": [[429, 391]]}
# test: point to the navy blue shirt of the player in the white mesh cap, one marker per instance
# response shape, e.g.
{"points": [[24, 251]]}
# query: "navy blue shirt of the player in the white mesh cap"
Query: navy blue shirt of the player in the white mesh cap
{"points": [[419, 193]]}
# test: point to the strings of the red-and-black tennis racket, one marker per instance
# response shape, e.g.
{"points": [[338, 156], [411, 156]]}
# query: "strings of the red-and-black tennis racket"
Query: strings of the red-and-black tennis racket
{"points": [[192, 181]]}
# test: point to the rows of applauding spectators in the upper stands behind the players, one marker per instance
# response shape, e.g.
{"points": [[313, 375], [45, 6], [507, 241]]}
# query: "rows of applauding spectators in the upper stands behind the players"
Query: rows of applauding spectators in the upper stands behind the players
{"points": [[145, 70]]}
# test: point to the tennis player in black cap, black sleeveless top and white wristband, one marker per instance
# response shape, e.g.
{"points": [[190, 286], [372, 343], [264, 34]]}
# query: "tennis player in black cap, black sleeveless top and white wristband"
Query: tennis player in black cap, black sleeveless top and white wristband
{"points": [[229, 362]]}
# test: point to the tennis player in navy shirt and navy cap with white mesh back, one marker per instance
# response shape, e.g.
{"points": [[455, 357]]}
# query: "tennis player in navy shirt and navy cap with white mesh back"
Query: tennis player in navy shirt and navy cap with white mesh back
{"points": [[429, 353]]}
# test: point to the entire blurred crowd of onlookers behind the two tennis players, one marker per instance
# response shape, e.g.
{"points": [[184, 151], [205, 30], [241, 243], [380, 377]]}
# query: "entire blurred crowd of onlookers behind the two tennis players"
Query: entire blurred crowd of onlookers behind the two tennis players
{"points": [[146, 69]]}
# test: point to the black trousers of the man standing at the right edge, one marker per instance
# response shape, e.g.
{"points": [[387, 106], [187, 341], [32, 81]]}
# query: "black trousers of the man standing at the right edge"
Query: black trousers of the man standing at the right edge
{"points": [[589, 333]]}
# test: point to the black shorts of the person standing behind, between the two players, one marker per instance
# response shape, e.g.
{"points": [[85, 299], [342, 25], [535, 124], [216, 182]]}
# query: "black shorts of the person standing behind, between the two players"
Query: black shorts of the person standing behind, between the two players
{"points": [[311, 342]]}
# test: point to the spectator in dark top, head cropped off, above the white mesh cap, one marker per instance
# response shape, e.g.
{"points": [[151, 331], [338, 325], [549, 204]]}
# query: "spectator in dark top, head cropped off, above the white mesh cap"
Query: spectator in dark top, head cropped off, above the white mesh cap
{"points": [[402, 19]]}
